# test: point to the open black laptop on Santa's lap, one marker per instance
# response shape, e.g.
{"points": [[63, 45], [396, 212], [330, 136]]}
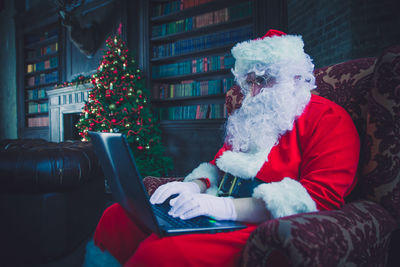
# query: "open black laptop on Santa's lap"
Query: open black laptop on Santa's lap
{"points": [[118, 164]]}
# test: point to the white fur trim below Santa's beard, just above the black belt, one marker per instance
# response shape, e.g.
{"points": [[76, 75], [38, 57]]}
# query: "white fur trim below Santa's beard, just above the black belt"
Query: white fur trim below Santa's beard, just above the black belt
{"points": [[243, 165]]}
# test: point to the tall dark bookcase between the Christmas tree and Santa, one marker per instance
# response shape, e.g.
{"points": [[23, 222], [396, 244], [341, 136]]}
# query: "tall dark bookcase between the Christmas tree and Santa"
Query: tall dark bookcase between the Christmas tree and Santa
{"points": [[188, 61]]}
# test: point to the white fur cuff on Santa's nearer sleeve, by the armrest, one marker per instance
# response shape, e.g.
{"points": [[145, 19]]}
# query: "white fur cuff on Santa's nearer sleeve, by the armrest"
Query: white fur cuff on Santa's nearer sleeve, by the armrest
{"points": [[285, 198]]}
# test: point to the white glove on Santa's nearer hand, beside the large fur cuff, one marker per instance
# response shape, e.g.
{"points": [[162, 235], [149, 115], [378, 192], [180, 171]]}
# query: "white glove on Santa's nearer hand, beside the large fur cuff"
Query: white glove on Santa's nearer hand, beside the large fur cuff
{"points": [[187, 206]]}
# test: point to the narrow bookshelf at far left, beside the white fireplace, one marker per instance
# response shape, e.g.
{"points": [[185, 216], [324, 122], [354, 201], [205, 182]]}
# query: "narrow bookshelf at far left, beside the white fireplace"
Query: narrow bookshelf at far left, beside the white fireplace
{"points": [[41, 63]]}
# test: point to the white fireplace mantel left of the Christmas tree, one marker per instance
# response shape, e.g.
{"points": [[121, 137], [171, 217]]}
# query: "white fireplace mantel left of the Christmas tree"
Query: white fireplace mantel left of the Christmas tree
{"points": [[62, 101]]}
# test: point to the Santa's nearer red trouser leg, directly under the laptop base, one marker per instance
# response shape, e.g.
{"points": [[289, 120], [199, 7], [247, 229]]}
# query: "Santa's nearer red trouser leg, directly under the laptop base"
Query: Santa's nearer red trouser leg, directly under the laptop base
{"points": [[221, 249]]}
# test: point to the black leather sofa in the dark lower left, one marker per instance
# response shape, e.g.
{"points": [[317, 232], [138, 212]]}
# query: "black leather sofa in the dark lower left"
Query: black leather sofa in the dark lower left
{"points": [[51, 198]]}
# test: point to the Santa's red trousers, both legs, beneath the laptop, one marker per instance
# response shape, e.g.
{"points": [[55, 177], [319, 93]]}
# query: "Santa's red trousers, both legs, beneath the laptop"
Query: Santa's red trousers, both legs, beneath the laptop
{"points": [[131, 247]]}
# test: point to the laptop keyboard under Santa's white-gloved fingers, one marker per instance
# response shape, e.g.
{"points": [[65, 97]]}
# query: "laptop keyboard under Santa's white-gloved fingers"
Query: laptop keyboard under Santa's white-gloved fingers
{"points": [[161, 210]]}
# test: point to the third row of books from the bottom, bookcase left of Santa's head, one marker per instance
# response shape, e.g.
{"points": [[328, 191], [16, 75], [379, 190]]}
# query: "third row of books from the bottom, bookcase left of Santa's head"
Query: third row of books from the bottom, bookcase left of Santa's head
{"points": [[198, 65]]}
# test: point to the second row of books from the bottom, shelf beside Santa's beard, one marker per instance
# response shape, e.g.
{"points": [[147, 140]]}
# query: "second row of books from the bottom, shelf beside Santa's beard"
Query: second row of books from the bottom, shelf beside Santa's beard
{"points": [[192, 88]]}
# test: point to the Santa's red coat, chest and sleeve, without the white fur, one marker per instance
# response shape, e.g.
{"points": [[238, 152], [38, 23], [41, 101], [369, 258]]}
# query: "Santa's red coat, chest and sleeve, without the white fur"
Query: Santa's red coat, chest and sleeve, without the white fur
{"points": [[321, 152]]}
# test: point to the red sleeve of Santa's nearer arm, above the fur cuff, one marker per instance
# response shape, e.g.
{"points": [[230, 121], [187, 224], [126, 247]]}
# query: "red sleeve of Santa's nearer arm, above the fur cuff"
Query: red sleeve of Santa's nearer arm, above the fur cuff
{"points": [[331, 148]]}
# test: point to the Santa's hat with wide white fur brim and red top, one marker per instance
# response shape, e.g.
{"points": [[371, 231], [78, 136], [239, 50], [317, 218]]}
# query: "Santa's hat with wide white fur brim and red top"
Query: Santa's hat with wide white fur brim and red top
{"points": [[276, 51]]}
